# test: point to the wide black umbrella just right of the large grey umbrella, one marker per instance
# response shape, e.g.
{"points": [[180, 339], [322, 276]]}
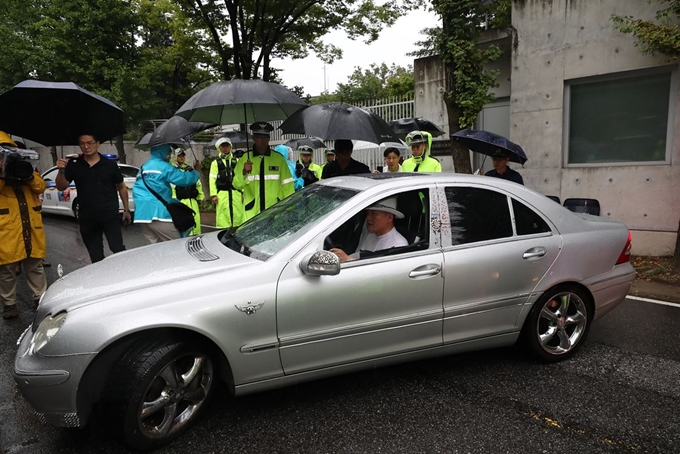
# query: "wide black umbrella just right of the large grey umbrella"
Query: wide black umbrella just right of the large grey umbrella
{"points": [[339, 121]]}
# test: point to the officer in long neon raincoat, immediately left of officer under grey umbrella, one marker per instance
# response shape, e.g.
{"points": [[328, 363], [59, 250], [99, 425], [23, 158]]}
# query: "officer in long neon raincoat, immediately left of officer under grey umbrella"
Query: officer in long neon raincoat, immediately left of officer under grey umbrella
{"points": [[228, 201]]}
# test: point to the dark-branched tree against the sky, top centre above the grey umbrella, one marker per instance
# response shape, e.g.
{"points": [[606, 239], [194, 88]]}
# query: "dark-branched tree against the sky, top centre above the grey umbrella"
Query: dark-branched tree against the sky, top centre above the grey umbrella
{"points": [[259, 30]]}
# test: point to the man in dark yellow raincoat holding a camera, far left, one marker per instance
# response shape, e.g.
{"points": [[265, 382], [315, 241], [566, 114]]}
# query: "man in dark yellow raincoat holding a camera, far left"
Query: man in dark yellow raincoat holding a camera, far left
{"points": [[22, 237]]}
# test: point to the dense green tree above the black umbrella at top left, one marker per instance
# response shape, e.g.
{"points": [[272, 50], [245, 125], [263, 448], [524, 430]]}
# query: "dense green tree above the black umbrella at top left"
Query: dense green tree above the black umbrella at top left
{"points": [[146, 56]]}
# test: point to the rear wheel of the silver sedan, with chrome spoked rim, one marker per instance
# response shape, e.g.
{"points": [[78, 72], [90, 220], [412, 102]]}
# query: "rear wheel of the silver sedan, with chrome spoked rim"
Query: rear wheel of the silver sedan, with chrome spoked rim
{"points": [[558, 323]]}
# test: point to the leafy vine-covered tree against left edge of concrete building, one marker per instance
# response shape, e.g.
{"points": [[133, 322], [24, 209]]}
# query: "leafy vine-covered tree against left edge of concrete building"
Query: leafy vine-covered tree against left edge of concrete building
{"points": [[468, 83]]}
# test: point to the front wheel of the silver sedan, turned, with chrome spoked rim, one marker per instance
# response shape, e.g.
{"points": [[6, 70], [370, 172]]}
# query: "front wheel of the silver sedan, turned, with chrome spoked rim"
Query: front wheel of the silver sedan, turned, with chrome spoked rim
{"points": [[157, 390]]}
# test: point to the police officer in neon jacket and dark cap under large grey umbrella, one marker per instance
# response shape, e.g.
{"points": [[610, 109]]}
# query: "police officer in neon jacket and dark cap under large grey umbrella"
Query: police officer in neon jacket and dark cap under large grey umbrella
{"points": [[262, 175]]}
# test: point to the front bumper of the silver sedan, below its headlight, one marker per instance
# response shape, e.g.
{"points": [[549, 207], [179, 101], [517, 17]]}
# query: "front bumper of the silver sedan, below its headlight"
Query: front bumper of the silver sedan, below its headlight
{"points": [[50, 383]]}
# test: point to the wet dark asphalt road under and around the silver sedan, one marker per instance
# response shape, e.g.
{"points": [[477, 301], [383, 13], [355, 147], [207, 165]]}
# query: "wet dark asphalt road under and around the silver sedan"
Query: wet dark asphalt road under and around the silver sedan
{"points": [[620, 394]]}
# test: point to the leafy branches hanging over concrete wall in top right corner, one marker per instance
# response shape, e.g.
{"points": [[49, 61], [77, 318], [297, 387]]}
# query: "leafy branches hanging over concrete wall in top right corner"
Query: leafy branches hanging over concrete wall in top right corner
{"points": [[662, 36]]}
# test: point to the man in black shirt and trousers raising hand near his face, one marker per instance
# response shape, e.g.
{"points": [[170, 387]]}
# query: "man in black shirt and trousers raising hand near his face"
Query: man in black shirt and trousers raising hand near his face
{"points": [[98, 182]]}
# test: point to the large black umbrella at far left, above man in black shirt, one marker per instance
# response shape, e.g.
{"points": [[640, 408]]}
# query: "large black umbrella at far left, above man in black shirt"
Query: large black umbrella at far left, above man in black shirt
{"points": [[56, 113]]}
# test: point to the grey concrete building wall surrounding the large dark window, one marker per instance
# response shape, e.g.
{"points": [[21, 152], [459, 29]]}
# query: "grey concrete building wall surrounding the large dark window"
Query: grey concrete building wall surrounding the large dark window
{"points": [[596, 117]]}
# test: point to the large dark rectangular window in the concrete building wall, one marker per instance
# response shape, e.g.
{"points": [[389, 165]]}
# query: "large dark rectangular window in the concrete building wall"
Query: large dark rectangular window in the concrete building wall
{"points": [[619, 120]]}
